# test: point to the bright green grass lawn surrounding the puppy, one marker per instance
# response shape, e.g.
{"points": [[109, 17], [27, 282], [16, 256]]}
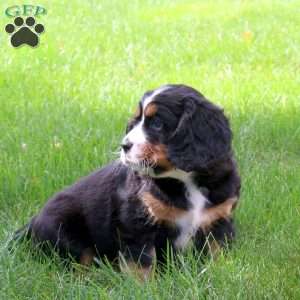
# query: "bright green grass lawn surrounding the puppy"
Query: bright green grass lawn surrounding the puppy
{"points": [[64, 106]]}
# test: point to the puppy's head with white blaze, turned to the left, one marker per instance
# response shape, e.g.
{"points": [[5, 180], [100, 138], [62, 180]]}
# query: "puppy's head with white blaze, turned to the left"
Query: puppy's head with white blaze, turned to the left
{"points": [[175, 127]]}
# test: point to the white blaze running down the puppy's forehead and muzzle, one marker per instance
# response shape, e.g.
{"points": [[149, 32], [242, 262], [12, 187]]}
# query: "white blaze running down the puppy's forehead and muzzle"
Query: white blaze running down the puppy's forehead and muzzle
{"points": [[137, 136]]}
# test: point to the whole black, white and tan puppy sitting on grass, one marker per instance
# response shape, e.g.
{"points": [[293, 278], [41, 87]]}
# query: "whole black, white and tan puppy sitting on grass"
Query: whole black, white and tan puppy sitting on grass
{"points": [[176, 181]]}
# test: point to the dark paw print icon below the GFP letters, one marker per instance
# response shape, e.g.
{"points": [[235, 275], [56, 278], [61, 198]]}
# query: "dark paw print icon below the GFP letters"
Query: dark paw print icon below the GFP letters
{"points": [[24, 32]]}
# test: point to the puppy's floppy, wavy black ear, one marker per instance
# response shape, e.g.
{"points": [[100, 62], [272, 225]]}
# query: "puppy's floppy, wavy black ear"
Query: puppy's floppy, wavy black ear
{"points": [[202, 135]]}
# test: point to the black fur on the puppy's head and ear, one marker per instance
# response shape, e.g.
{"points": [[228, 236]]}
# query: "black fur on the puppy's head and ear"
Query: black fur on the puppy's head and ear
{"points": [[201, 136]]}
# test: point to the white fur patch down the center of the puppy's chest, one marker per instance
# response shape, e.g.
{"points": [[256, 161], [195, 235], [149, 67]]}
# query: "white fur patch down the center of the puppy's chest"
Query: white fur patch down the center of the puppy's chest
{"points": [[190, 222]]}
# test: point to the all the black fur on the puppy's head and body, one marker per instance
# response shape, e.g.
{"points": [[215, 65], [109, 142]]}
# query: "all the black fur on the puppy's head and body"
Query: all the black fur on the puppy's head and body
{"points": [[103, 211]]}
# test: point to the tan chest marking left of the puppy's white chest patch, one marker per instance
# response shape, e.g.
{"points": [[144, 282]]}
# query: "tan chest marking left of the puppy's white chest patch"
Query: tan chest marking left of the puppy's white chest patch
{"points": [[161, 211]]}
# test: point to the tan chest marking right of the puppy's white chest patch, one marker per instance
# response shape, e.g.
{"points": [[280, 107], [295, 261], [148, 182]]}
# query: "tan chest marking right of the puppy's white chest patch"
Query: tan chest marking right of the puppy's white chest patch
{"points": [[215, 213]]}
